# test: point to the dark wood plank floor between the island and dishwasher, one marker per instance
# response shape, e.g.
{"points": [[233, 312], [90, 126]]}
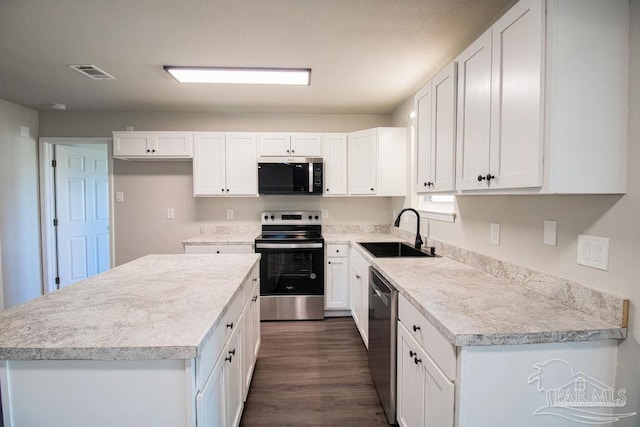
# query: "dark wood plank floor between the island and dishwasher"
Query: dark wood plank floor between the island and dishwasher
{"points": [[312, 373]]}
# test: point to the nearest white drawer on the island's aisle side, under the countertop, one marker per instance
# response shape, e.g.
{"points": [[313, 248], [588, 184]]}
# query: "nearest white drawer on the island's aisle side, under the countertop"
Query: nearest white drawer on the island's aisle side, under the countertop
{"points": [[213, 347]]}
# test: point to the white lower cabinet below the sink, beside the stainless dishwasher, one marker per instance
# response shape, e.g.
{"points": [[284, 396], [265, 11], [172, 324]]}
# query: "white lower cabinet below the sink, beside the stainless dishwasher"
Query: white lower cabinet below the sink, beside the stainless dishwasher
{"points": [[359, 284]]}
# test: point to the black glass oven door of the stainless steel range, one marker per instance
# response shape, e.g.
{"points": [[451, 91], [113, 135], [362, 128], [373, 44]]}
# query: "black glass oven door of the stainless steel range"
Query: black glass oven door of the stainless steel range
{"points": [[291, 268]]}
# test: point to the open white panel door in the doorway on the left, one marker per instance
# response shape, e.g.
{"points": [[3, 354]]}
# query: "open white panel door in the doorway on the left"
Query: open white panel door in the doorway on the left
{"points": [[82, 212]]}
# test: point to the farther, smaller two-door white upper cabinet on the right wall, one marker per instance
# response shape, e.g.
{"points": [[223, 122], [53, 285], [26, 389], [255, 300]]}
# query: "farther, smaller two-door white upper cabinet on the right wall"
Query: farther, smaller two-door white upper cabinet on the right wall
{"points": [[435, 106]]}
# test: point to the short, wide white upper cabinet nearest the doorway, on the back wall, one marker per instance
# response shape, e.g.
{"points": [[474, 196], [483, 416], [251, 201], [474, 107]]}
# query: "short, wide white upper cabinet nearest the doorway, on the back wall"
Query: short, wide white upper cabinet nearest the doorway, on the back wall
{"points": [[152, 145]]}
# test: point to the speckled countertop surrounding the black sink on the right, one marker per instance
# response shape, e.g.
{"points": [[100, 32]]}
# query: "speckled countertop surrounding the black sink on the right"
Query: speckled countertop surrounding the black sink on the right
{"points": [[473, 308]]}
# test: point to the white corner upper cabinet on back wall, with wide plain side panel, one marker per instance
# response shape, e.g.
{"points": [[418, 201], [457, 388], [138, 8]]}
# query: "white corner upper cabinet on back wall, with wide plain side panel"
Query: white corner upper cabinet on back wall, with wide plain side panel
{"points": [[377, 162]]}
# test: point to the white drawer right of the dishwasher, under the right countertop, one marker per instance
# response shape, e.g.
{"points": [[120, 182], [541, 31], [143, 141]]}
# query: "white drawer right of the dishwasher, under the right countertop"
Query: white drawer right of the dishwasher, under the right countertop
{"points": [[436, 345]]}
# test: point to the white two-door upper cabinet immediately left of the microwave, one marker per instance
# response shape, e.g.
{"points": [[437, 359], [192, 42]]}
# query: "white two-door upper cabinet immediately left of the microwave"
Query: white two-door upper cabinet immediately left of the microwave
{"points": [[225, 164]]}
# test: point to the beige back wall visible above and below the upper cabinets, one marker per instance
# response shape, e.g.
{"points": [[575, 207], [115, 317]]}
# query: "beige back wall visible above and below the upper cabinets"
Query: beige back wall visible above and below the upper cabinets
{"points": [[149, 188]]}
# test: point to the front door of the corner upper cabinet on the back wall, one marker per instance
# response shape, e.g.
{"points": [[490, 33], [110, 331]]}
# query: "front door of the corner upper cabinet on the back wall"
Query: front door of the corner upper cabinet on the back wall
{"points": [[363, 162]]}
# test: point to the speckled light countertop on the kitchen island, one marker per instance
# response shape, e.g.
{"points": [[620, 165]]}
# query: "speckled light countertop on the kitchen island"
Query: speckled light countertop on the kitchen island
{"points": [[156, 307]]}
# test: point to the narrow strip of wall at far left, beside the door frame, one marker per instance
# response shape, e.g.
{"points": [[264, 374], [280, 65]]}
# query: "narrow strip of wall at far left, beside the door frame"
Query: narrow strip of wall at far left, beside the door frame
{"points": [[19, 223]]}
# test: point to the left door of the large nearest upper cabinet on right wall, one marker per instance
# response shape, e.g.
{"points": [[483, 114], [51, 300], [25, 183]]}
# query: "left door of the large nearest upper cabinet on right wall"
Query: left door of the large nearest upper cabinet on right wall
{"points": [[474, 114]]}
